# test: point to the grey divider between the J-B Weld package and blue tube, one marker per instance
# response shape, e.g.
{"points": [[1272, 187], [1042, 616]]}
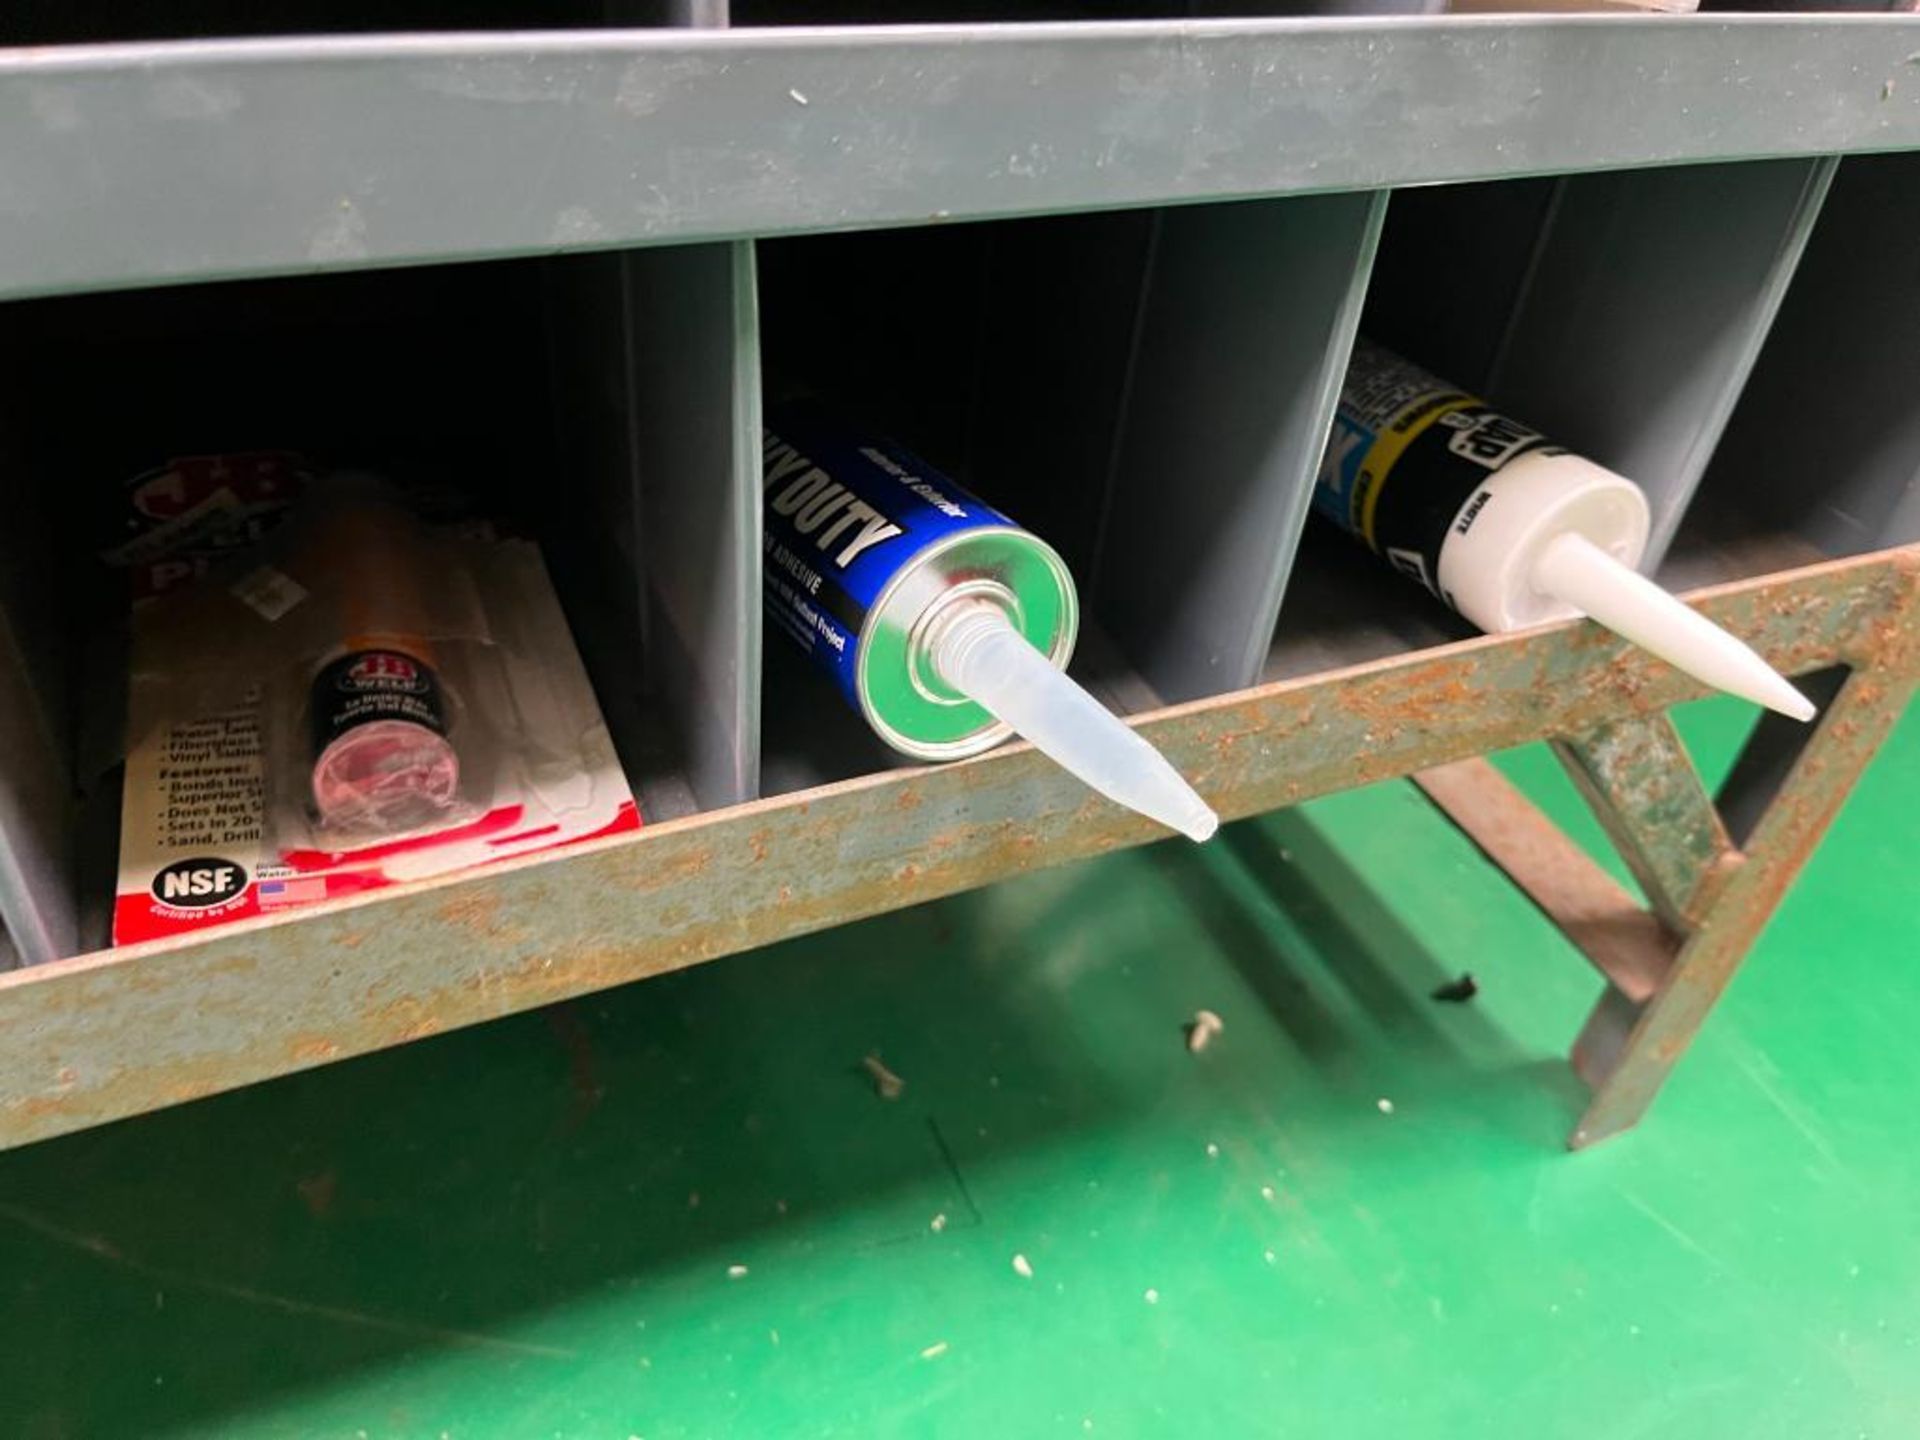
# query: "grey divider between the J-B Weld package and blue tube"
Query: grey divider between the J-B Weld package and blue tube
{"points": [[660, 404]]}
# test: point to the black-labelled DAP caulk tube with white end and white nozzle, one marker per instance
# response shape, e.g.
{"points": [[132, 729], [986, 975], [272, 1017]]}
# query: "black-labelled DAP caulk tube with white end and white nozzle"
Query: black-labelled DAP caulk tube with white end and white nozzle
{"points": [[1510, 529]]}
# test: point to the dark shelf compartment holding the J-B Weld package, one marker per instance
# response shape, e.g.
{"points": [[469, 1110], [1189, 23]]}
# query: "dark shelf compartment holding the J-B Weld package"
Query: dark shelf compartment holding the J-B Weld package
{"points": [[441, 375]]}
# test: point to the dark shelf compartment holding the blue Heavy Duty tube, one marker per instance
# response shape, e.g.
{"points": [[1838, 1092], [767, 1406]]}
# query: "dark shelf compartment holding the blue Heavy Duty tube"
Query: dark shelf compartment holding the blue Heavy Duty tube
{"points": [[1145, 391]]}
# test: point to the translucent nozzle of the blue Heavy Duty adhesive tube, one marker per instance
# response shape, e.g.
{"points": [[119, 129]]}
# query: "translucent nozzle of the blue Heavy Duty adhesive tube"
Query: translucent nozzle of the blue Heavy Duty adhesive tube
{"points": [[978, 652]]}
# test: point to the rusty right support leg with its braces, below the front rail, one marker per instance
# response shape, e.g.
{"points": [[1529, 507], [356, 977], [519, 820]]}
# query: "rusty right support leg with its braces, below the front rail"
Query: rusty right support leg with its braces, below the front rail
{"points": [[1708, 900]]}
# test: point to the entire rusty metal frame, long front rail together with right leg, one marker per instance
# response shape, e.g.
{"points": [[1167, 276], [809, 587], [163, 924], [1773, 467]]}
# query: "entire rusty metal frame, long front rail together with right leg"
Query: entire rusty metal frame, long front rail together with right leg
{"points": [[124, 1032]]}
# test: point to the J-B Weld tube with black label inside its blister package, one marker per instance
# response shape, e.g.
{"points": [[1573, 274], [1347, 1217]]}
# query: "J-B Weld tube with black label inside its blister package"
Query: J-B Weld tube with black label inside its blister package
{"points": [[383, 759]]}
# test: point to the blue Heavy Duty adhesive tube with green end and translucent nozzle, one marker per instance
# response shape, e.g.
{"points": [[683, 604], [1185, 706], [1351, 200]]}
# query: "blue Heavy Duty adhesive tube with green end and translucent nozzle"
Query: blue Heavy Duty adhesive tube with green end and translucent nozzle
{"points": [[946, 625]]}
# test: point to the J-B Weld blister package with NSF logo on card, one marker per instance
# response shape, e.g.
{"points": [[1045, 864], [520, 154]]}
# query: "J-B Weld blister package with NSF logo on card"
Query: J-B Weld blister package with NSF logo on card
{"points": [[356, 702]]}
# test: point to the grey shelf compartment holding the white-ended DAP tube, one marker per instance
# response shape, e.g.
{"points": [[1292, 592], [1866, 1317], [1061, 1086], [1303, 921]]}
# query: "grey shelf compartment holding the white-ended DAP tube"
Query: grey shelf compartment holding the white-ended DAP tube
{"points": [[1621, 314]]}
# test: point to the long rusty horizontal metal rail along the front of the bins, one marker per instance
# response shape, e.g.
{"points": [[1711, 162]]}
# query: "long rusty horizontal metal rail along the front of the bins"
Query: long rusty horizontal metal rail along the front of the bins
{"points": [[108, 1036]]}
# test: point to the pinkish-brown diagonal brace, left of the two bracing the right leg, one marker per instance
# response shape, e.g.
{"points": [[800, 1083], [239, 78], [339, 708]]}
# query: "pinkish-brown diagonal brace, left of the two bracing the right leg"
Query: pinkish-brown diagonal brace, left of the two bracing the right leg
{"points": [[1608, 926]]}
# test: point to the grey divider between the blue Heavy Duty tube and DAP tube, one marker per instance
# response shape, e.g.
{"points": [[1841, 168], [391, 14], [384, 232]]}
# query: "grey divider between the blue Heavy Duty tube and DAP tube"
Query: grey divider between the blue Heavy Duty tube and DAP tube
{"points": [[1247, 320]]}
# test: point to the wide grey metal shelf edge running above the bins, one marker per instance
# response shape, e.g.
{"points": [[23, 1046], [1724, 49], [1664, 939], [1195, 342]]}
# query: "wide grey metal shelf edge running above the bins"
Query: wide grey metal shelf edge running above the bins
{"points": [[149, 164]]}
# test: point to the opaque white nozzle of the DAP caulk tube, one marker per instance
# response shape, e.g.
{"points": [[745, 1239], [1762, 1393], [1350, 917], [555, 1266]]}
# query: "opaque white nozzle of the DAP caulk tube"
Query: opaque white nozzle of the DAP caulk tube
{"points": [[1583, 575]]}
